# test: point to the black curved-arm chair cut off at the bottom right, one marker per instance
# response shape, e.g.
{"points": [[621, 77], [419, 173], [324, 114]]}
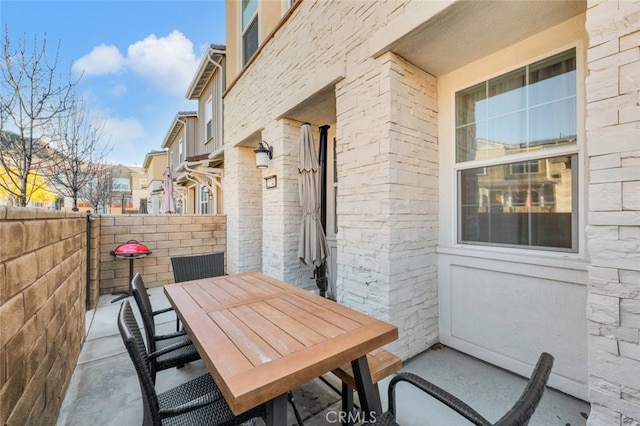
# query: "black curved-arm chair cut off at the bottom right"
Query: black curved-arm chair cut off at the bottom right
{"points": [[519, 414]]}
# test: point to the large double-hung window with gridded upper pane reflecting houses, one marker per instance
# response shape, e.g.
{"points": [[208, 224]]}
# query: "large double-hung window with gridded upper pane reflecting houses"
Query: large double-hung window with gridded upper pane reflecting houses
{"points": [[530, 202]]}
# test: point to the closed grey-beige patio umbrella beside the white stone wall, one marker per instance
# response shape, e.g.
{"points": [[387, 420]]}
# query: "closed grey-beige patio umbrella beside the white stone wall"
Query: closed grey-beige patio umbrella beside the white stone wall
{"points": [[313, 248]]}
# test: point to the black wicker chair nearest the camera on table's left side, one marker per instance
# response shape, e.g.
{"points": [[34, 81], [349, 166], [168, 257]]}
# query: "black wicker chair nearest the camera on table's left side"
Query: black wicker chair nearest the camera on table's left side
{"points": [[196, 402]]}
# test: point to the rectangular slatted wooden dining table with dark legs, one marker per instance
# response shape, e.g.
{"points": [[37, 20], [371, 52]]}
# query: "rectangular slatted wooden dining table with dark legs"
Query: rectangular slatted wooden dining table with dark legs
{"points": [[261, 337]]}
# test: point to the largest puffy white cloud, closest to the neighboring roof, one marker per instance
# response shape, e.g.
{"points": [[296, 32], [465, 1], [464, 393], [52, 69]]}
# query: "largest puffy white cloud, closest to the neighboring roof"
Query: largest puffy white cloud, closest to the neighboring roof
{"points": [[169, 63]]}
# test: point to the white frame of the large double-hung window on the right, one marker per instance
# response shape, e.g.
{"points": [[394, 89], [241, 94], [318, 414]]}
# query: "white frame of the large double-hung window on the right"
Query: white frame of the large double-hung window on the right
{"points": [[574, 150]]}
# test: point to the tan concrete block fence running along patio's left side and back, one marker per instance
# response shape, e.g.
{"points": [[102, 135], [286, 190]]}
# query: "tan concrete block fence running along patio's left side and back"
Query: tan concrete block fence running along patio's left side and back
{"points": [[45, 264]]}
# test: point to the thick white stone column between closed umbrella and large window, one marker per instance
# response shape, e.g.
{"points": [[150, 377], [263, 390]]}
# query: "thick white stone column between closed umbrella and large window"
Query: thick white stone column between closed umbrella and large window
{"points": [[388, 197]]}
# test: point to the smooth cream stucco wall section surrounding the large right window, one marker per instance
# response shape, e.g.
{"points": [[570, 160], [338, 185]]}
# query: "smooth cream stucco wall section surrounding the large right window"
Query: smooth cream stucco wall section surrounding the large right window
{"points": [[483, 289]]}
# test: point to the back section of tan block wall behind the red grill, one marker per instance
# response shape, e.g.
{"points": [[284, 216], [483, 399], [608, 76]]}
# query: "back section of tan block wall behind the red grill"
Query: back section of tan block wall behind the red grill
{"points": [[165, 235]]}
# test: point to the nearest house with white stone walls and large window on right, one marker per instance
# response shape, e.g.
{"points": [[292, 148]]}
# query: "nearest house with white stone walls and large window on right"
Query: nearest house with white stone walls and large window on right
{"points": [[450, 123]]}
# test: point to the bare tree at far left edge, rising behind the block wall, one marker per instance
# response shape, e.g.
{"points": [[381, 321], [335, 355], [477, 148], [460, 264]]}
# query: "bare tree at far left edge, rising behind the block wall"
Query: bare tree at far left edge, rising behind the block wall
{"points": [[32, 96]]}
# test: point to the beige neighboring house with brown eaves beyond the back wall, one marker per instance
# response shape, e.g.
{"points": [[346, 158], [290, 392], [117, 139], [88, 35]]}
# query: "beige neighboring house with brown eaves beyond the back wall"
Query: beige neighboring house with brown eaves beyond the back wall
{"points": [[195, 140]]}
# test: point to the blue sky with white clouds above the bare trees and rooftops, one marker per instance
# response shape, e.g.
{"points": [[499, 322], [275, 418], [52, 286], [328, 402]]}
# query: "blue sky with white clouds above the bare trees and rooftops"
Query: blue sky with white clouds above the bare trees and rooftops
{"points": [[138, 59]]}
